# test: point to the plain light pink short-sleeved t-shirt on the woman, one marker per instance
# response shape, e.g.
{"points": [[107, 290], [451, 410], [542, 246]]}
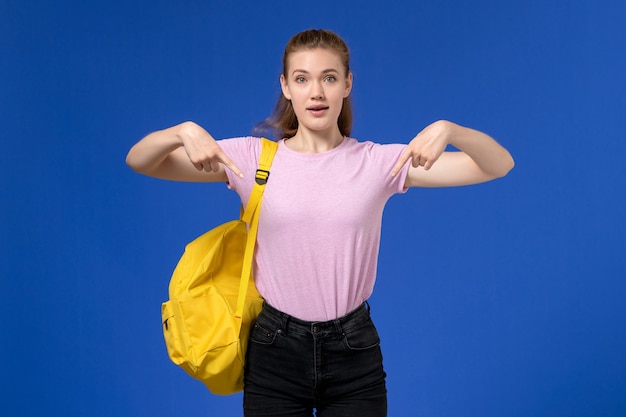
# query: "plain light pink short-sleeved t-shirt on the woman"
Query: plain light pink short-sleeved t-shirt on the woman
{"points": [[320, 224]]}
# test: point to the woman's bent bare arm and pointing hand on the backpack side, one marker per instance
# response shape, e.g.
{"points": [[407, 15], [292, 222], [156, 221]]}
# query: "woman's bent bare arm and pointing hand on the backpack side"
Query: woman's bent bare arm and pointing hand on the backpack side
{"points": [[185, 152]]}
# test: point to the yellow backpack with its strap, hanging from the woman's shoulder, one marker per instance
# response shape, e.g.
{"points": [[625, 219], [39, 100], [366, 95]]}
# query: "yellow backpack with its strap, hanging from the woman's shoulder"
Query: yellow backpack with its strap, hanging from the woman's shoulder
{"points": [[212, 303]]}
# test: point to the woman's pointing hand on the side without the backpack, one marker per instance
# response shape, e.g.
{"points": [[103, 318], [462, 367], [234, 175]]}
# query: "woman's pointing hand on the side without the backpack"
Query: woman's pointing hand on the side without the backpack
{"points": [[426, 147]]}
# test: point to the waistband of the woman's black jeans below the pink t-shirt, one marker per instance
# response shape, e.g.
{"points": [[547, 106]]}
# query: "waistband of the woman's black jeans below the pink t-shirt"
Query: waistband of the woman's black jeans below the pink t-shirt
{"points": [[338, 326]]}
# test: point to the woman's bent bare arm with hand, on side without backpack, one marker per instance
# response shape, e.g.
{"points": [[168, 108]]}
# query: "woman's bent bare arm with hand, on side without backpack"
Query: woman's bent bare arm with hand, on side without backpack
{"points": [[480, 158]]}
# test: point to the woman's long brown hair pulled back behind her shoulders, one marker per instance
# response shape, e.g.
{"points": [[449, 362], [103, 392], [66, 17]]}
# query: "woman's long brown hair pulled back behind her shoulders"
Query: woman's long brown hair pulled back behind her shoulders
{"points": [[283, 120]]}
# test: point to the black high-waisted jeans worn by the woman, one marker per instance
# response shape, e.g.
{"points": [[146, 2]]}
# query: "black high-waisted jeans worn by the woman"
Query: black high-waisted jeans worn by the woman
{"points": [[295, 366]]}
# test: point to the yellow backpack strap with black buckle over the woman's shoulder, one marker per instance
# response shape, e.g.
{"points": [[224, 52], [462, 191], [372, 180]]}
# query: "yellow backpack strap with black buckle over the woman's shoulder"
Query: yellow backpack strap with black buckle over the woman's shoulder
{"points": [[251, 217]]}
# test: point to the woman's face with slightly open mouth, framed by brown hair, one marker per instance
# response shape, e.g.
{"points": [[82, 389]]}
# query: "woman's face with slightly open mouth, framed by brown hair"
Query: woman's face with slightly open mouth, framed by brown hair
{"points": [[316, 84]]}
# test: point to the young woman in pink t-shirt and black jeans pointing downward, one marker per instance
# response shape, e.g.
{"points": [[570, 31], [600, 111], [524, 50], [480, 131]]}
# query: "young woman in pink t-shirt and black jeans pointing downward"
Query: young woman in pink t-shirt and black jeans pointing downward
{"points": [[314, 345]]}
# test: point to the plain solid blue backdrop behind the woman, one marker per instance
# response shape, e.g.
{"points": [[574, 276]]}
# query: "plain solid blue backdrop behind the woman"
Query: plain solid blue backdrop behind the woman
{"points": [[501, 299]]}
